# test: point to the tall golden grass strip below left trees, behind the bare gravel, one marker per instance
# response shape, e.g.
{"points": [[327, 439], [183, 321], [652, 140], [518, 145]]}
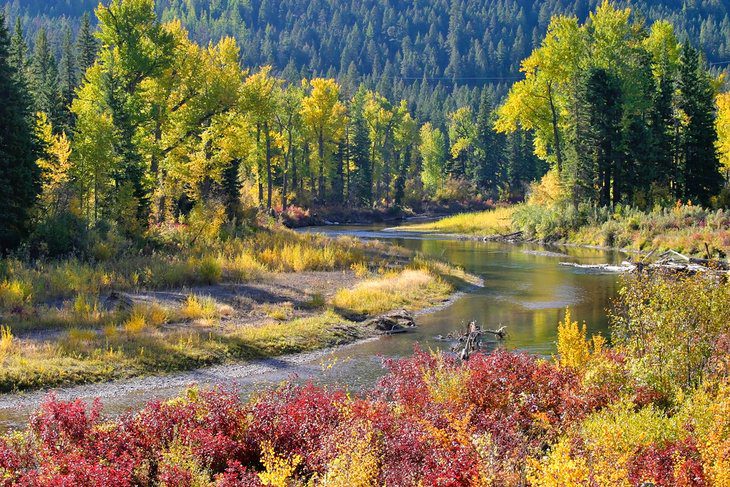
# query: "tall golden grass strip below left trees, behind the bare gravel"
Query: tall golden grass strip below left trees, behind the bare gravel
{"points": [[236, 260]]}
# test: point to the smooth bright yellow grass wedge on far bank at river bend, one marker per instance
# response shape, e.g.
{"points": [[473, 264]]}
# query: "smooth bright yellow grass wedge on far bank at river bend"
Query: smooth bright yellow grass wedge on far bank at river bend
{"points": [[490, 222]]}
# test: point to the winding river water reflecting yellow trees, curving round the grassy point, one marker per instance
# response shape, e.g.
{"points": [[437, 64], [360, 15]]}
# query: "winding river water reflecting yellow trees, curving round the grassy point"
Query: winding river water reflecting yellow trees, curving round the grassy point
{"points": [[525, 288]]}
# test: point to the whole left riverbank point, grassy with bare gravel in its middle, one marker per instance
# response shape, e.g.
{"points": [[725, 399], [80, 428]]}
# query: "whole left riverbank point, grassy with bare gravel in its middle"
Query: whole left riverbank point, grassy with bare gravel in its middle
{"points": [[286, 306]]}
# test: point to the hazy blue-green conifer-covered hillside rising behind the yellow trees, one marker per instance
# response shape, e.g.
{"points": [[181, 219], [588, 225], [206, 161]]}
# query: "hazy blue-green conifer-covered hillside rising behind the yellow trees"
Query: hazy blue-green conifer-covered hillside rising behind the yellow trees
{"points": [[428, 52]]}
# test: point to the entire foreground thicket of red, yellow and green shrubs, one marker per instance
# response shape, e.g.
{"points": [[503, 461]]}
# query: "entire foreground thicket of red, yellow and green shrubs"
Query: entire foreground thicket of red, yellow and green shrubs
{"points": [[588, 417]]}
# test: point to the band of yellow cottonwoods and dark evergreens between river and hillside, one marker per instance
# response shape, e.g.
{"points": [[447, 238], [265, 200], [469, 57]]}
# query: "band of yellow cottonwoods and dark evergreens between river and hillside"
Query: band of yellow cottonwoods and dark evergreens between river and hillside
{"points": [[133, 123]]}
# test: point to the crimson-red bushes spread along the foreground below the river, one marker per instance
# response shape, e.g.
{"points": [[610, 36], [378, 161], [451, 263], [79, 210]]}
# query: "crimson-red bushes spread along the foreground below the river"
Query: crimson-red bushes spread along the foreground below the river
{"points": [[515, 404]]}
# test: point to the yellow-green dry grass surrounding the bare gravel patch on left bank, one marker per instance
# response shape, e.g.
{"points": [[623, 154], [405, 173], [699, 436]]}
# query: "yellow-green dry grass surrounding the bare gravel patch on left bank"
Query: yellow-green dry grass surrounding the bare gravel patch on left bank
{"points": [[92, 343]]}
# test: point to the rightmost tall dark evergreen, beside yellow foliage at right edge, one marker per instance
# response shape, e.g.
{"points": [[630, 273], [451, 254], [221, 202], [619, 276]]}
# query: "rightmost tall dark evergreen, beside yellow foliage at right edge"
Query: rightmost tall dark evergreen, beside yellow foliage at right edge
{"points": [[701, 176]]}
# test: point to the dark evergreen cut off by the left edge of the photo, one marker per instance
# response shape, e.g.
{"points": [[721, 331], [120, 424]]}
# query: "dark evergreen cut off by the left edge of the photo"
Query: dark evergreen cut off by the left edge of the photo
{"points": [[19, 151]]}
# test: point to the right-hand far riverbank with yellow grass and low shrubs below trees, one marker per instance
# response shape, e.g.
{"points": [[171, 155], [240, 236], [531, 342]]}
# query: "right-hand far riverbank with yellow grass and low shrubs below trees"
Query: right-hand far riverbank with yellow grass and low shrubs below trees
{"points": [[690, 230]]}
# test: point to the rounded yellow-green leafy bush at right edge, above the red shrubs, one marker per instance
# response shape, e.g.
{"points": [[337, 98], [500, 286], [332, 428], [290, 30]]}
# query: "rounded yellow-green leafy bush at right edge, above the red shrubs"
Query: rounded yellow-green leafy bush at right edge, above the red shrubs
{"points": [[672, 327]]}
